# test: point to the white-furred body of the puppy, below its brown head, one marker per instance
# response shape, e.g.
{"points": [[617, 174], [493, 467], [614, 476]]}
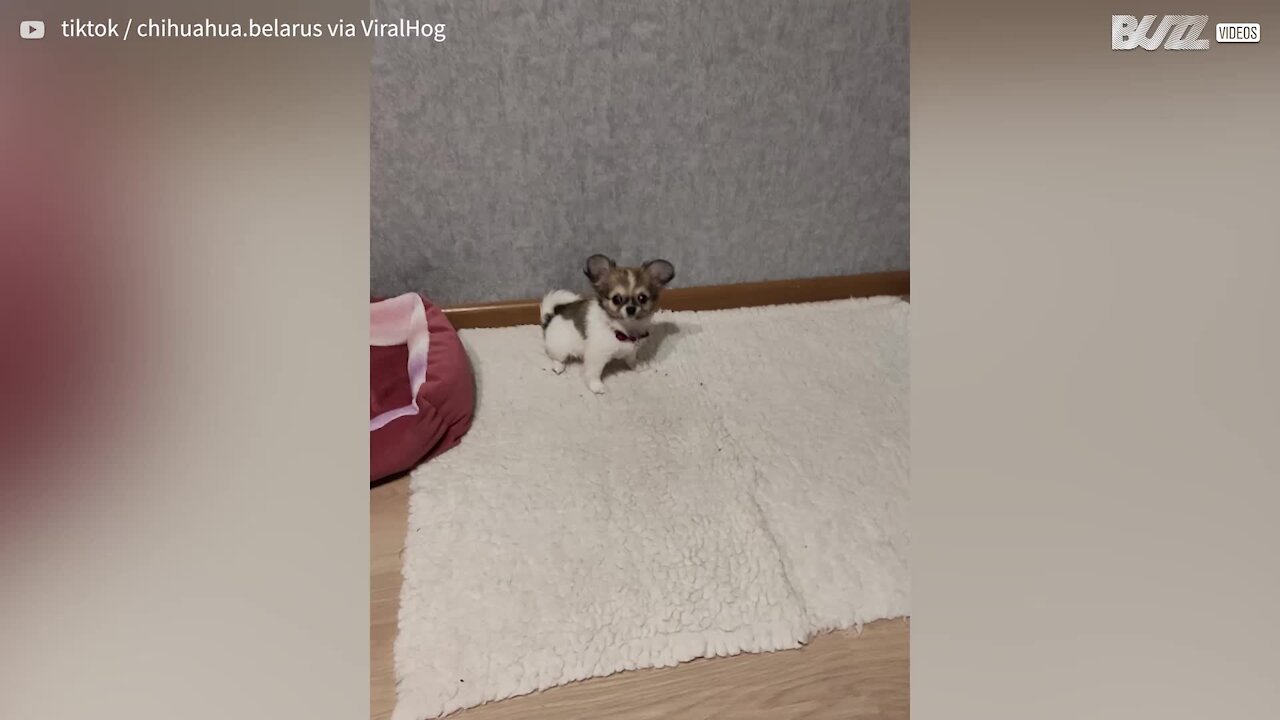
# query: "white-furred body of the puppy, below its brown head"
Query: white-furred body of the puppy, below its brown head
{"points": [[598, 348]]}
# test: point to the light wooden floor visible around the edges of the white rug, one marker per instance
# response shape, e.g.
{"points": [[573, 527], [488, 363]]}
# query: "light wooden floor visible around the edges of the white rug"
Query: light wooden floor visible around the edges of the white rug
{"points": [[840, 676]]}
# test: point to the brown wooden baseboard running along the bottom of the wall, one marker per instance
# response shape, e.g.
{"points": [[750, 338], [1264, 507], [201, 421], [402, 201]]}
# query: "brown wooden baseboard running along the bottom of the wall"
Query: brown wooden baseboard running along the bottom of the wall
{"points": [[707, 298]]}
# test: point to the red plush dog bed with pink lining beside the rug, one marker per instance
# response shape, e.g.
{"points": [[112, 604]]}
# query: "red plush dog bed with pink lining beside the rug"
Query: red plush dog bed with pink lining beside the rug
{"points": [[422, 390]]}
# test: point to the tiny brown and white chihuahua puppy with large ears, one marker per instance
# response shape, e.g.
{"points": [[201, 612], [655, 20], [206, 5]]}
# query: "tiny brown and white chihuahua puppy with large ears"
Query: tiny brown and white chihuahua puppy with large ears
{"points": [[612, 325]]}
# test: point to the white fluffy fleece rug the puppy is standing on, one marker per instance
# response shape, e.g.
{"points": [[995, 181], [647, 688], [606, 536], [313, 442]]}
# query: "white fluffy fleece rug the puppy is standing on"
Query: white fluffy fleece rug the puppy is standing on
{"points": [[743, 491]]}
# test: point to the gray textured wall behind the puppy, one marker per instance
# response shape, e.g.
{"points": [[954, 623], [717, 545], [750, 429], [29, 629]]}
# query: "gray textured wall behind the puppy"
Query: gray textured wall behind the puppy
{"points": [[739, 139]]}
